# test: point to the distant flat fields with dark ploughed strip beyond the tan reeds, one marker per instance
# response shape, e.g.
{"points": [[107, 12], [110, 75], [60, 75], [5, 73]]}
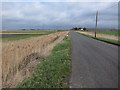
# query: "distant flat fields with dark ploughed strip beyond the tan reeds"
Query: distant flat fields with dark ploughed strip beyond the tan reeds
{"points": [[17, 35]]}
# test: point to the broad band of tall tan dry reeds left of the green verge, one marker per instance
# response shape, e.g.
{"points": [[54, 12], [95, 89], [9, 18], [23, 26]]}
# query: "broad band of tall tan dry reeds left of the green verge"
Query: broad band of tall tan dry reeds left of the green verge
{"points": [[19, 57]]}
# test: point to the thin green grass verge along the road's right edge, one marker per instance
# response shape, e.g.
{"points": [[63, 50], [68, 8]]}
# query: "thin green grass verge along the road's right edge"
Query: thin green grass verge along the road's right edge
{"points": [[103, 39]]}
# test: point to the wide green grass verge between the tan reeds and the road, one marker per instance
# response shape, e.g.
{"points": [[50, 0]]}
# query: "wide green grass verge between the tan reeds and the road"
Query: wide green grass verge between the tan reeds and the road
{"points": [[52, 72]]}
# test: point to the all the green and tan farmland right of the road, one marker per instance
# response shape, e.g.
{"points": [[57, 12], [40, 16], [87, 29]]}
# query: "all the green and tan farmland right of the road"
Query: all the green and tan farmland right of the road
{"points": [[106, 36]]}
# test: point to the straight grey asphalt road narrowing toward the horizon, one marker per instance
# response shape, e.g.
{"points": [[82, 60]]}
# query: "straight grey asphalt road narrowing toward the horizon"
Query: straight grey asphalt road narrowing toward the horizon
{"points": [[94, 63]]}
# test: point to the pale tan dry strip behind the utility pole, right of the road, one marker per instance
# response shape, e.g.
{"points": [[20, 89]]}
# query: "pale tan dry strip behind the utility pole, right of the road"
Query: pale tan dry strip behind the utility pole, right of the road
{"points": [[100, 35]]}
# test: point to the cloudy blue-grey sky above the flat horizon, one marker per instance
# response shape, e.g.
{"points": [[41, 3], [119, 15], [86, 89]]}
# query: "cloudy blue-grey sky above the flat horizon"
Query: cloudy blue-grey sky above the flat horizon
{"points": [[58, 14]]}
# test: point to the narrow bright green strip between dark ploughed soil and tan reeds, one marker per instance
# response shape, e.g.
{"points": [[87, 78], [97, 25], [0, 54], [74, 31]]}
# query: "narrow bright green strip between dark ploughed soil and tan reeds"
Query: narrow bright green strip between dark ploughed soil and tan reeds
{"points": [[22, 37]]}
